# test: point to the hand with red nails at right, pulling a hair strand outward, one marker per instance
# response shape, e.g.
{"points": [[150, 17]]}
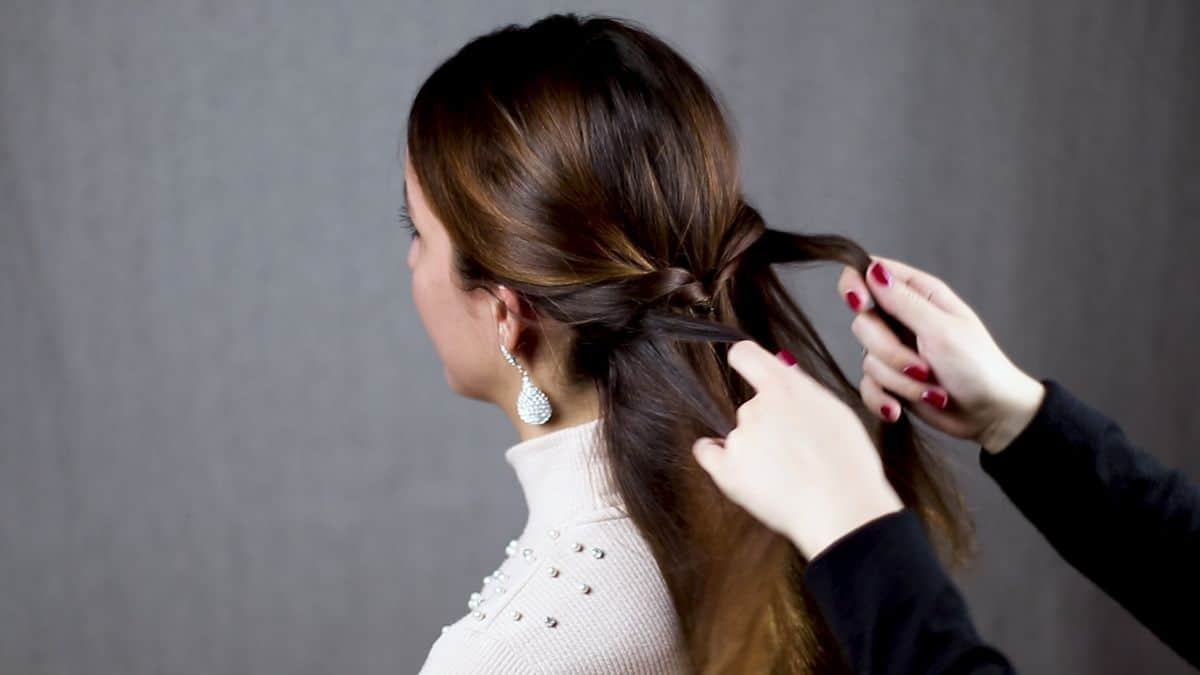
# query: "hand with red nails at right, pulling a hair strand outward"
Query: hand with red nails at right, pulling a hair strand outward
{"points": [[958, 380]]}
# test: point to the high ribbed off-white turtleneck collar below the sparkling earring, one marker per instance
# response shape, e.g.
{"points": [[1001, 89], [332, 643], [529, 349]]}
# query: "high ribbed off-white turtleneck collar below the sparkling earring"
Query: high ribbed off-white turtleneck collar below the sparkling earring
{"points": [[563, 474]]}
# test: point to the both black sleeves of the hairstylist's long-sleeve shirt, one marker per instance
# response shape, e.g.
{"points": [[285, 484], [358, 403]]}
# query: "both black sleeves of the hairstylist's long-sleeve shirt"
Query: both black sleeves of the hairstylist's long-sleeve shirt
{"points": [[1113, 511]]}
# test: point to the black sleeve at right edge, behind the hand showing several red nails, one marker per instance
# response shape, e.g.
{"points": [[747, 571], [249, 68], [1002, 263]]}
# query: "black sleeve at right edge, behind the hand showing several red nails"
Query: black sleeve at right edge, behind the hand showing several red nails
{"points": [[1114, 512]]}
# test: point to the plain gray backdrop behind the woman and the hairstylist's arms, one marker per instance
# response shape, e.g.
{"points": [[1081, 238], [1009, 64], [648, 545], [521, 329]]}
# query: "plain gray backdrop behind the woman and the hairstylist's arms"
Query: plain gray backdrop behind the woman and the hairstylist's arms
{"points": [[226, 443]]}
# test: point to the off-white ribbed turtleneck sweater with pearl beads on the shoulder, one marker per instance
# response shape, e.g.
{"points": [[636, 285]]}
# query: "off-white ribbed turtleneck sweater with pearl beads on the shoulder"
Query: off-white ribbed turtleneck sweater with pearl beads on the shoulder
{"points": [[579, 592]]}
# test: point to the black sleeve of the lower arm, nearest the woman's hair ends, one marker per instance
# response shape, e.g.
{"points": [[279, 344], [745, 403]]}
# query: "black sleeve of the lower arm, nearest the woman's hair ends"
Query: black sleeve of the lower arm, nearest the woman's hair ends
{"points": [[892, 607]]}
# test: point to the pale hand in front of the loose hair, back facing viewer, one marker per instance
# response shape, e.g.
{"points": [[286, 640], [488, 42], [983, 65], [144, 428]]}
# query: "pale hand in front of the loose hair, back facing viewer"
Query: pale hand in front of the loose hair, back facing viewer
{"points": [[800, 459]]}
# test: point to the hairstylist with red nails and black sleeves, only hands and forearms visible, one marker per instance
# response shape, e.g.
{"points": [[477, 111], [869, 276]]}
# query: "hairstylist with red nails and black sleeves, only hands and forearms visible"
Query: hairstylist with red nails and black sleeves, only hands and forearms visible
{"points": [[1115, 513]]}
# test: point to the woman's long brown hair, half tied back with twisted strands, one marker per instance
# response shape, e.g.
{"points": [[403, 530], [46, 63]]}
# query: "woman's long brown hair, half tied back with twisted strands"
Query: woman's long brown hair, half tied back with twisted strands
{"points": [[583, 163]]}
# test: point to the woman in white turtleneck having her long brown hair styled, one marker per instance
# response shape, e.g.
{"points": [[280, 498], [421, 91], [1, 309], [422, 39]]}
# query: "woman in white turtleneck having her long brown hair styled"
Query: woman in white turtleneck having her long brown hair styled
{"points": [[583, 258]]}
